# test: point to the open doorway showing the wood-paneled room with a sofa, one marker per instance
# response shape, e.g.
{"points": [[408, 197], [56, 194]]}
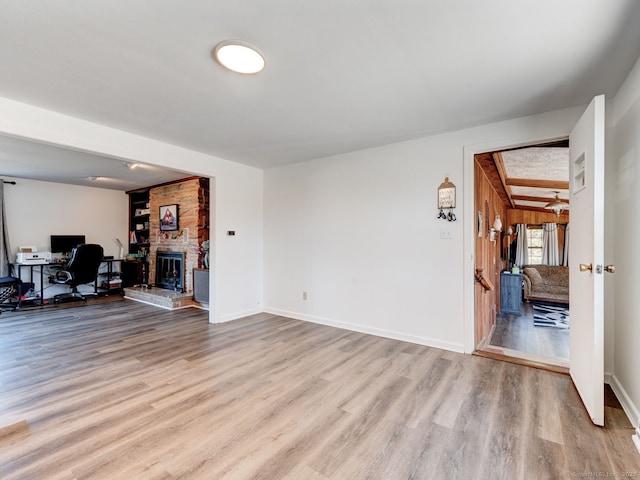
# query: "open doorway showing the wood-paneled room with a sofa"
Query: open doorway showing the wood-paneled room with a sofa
{"points": [[523, 316]]}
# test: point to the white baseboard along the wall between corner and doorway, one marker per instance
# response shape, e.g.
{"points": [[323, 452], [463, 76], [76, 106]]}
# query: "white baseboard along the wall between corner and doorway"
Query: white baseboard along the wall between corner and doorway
{"points": [[379, 332]]}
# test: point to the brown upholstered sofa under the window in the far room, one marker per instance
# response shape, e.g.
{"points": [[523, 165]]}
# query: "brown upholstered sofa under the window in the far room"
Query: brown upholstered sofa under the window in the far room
{"points": [[546, 283]]}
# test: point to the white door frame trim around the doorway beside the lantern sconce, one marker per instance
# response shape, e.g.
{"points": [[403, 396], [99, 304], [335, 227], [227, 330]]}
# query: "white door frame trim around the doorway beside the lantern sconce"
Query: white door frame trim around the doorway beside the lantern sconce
{"points": [[469, 226]]}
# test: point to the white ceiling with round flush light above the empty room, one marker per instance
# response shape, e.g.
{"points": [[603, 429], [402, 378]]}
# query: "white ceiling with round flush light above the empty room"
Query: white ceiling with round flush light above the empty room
{"points": [[341, 75]]}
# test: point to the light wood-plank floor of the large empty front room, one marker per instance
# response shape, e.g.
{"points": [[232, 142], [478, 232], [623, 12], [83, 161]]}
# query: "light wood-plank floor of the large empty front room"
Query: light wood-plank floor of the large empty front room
{"points": [[122, 390]]}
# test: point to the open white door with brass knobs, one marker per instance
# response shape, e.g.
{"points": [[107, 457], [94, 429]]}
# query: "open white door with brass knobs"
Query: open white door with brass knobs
{"points": [[586, 247]]}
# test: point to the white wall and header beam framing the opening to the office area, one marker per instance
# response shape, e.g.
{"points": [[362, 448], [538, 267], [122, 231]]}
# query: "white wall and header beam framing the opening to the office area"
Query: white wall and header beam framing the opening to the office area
{"points": [[236, 286]]}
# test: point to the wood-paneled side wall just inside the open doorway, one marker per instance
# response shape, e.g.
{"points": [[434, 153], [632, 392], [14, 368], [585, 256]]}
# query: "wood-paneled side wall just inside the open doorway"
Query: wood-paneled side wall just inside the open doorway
{"points": [[487, 253]]}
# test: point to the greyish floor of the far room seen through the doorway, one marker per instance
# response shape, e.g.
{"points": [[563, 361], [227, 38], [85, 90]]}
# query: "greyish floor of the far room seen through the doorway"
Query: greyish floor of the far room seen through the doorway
{"points": [[517, 332]]}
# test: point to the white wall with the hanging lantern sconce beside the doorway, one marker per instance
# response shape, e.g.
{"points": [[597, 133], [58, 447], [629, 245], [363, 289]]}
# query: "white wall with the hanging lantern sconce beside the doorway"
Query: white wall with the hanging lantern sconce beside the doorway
{"points": [[358, 232]]}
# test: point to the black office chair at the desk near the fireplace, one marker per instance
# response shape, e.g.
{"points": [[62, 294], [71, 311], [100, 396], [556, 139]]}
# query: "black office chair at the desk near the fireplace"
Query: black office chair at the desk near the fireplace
{"points": [[82, 268]]}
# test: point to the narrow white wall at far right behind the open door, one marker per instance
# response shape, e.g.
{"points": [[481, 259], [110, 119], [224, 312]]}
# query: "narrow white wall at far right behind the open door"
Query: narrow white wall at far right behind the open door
{"points": [[626, 126]]}
